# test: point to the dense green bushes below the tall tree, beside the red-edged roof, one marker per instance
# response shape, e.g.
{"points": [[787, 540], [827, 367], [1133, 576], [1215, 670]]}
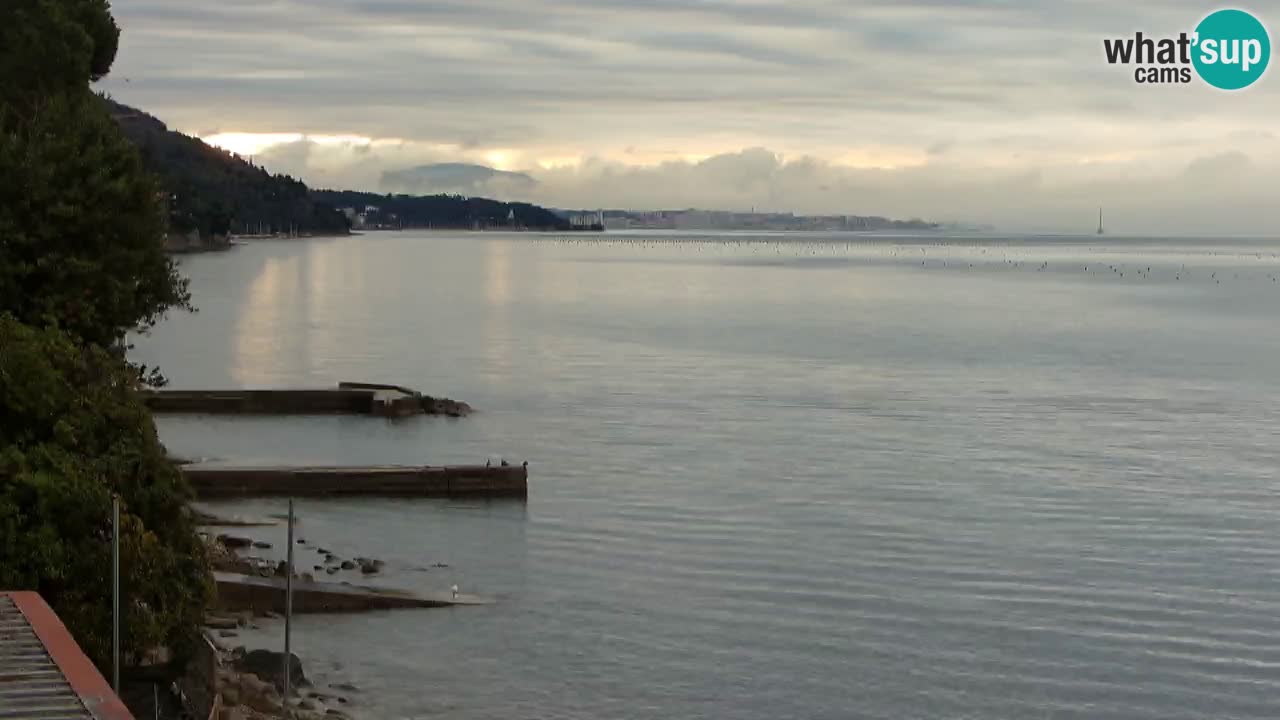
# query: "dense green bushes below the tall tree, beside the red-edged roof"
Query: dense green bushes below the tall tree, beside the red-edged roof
{"points": [[74, 432]]}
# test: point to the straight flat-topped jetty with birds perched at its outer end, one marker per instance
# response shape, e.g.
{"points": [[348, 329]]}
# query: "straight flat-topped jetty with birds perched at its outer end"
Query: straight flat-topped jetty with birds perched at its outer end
{"points": [[378, 481]]}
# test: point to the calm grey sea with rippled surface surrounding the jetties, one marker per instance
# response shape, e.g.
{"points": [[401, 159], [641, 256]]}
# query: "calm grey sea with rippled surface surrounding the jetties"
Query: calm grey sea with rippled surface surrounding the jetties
{"points": [[808, 477]]}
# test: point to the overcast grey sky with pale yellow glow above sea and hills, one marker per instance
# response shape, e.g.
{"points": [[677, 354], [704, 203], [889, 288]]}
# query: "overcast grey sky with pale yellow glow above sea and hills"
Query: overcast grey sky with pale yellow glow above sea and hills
{"points": [[993, 112]]}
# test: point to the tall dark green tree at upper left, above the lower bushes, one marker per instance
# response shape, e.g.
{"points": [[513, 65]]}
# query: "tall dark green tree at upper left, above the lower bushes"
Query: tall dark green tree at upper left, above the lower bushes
{"points": [[81, 222]]}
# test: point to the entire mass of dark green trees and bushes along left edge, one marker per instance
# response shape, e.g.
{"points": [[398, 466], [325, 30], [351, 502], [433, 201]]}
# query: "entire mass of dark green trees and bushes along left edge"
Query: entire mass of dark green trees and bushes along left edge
{"points": [[81, 265]]}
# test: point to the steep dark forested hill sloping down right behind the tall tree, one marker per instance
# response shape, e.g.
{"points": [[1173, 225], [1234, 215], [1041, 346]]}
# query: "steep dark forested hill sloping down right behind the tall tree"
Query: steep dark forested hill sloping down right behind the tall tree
{"points": [[217, 192]]}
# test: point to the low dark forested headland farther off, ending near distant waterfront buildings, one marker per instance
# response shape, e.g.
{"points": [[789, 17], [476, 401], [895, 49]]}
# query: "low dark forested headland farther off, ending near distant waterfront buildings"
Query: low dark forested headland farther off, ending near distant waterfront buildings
{"points": [[441, 212]]}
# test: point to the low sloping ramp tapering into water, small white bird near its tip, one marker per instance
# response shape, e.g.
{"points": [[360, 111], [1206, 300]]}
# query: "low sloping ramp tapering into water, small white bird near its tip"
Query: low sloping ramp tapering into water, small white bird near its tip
{"points": [[239, 594]]}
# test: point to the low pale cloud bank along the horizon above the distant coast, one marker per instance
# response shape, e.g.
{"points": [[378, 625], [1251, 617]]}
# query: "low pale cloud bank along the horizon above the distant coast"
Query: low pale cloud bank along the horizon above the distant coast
{"points": [[1226, 193]]}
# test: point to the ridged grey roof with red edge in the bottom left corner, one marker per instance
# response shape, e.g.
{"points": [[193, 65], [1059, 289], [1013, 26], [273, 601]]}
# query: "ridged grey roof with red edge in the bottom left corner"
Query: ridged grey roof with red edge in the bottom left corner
{"points": [[43, 672]]}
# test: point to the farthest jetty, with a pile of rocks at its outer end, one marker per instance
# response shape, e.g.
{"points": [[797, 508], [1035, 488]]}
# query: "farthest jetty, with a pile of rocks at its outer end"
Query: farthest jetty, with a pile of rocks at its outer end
{"points": [[348, 399]]}
